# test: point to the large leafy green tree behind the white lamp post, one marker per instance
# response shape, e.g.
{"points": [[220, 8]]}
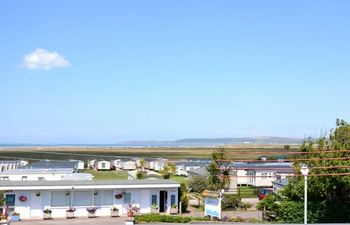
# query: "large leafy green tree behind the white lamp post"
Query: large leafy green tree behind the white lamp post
{"points": [[328, 196]]}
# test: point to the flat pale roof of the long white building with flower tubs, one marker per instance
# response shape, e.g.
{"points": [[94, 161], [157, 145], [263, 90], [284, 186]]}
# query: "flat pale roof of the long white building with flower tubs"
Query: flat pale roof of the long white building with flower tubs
{"points": [[86, 184]]}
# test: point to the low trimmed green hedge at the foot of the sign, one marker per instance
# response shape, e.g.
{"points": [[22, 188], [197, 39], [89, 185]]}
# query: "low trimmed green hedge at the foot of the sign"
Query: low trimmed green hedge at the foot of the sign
{"points": [[157, 218]]}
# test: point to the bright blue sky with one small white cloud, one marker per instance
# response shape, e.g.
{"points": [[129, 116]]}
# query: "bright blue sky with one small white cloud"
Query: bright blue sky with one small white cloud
{"points": [[109, 71]]}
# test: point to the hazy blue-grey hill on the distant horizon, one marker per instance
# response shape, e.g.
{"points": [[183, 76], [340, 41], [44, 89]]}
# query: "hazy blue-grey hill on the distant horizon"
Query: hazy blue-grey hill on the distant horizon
{"points": [[209, 142]]}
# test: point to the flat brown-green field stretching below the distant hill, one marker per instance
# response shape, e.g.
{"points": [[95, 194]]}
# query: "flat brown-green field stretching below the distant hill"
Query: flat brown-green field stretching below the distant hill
{"points": [[85, 153]]}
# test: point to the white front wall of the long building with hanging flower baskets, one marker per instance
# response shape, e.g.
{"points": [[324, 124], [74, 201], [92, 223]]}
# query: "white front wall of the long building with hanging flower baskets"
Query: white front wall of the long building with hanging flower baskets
{"points": [[59, 200]]}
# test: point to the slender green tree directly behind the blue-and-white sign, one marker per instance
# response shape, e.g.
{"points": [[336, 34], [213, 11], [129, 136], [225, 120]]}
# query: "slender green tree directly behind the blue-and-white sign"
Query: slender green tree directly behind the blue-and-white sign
{"points": [[219, 171]]}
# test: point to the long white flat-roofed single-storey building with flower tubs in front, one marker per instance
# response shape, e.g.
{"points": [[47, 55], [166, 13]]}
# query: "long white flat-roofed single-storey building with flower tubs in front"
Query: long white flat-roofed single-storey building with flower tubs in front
{"points": [[30, 198]]}
